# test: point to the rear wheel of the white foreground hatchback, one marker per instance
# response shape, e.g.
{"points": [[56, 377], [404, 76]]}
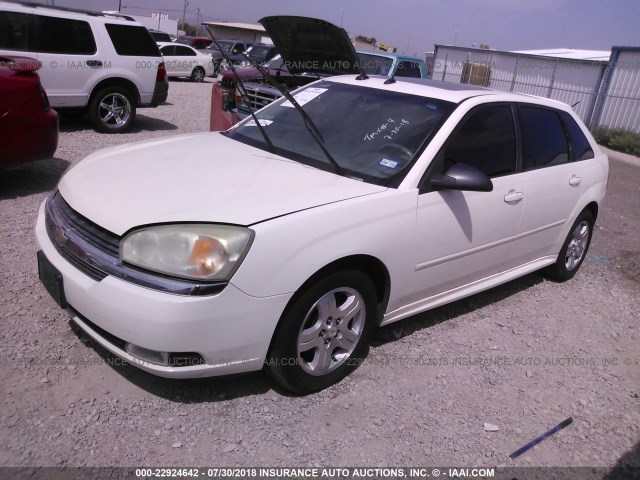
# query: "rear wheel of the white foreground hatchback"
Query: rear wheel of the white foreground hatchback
{"points": [[574, 249]]}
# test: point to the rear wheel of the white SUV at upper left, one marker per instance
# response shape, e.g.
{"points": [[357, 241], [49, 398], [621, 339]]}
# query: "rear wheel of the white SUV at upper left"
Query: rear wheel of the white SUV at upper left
{"points": [[112, 110]]}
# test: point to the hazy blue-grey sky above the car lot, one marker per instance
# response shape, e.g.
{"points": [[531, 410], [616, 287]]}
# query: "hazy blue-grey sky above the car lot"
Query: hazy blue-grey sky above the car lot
{"points": [[413, 26]]}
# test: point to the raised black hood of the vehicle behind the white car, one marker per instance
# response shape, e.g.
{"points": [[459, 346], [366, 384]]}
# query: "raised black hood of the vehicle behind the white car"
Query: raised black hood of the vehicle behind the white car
{"points": [[312, 45]]}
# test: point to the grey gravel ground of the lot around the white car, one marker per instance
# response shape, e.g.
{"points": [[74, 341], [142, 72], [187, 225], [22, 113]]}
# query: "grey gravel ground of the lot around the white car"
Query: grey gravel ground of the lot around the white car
{"points": [[523, 357]]}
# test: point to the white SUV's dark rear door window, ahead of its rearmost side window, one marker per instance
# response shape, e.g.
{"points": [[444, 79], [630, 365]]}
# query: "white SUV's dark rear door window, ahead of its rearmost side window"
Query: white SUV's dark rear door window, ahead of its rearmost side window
{"points": [[63, 35]]}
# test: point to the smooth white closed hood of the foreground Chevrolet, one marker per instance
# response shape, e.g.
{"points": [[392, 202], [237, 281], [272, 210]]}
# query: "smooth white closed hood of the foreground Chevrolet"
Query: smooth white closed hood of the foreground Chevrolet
{"points": [[203, 177]]}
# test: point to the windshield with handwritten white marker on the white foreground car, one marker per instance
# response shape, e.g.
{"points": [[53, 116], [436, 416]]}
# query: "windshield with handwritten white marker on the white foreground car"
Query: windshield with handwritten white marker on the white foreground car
{"points": [[373, 134]]}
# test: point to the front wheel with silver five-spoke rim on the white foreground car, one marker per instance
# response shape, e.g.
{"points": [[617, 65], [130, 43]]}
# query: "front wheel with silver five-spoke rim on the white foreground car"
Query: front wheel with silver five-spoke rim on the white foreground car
{"points": [[324, 334]]}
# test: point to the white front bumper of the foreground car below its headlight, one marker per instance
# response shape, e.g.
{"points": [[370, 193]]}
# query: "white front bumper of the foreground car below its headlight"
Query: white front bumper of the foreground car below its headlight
{"points": [[231, 331]]}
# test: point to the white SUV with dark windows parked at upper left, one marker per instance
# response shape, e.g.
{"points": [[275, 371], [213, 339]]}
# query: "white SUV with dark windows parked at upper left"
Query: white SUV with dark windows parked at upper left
{"points": [[100, 64]]}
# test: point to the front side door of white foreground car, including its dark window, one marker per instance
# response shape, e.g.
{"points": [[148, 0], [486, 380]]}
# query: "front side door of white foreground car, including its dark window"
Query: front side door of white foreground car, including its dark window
{"points": [[464, 236]]}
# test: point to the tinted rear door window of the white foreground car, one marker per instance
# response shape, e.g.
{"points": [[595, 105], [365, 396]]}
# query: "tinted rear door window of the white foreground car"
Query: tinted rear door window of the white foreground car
{"points": [[544, 140]]}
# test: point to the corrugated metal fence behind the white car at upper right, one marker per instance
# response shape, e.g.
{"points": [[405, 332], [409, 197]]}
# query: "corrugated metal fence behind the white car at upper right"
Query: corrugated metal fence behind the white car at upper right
{"points": [[602, 93]]}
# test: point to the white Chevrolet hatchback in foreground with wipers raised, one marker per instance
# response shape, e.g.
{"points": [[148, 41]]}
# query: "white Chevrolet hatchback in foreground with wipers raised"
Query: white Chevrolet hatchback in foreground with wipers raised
{"points": [[282, 243]]}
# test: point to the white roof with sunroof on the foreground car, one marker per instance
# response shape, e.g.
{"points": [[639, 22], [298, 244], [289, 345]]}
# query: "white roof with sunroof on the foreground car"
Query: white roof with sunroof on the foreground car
{"points": [[447, 91]]}
